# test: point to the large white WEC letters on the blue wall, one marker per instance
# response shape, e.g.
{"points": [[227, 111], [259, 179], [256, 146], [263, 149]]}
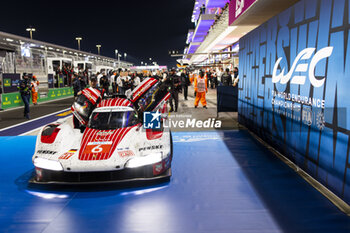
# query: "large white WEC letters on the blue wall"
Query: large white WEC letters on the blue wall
{"points": [[303, 62]]}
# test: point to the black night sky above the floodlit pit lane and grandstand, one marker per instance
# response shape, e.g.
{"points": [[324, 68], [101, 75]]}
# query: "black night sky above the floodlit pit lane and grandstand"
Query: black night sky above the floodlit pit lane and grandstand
{"points": [[142, 28]]}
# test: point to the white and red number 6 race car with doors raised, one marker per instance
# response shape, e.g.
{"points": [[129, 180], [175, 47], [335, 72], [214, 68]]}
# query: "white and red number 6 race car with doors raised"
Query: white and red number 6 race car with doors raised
{"points": [[113, 145]]}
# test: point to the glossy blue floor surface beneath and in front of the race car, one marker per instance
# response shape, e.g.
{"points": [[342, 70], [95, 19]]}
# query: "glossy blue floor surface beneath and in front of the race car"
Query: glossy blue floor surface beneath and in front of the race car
{"points": [[212, 190]]}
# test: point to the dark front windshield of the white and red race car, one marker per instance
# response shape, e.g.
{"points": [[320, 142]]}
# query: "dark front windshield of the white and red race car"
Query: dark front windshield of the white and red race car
{"points": [[112, 120]]}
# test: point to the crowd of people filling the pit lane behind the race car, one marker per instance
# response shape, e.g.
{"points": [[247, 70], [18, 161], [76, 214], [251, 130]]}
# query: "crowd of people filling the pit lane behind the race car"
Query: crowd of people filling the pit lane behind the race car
{"points": [[122, 82]]}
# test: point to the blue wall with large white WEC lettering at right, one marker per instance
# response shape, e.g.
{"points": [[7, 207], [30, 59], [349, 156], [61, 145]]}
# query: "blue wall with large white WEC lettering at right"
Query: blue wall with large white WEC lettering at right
{"points": [[295, 88]]}
